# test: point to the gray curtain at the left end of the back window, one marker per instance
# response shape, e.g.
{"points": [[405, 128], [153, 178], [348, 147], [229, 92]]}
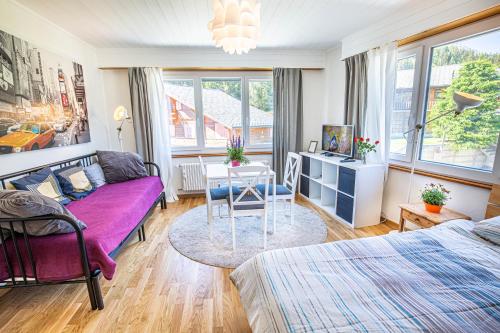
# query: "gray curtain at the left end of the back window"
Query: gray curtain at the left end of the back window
{"points": [[141, 113]]}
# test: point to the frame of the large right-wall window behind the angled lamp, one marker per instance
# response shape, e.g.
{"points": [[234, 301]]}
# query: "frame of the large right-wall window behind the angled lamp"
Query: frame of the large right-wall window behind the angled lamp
{"points": [[427, 44]]}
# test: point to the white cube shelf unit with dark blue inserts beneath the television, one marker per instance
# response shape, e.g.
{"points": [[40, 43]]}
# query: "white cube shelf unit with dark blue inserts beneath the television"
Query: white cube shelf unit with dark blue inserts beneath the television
{"points": [[350, 192]]}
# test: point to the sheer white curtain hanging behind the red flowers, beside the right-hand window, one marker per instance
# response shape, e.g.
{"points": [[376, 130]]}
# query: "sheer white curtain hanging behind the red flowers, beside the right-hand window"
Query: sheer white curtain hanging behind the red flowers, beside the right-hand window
{"points": [[381, 77]]}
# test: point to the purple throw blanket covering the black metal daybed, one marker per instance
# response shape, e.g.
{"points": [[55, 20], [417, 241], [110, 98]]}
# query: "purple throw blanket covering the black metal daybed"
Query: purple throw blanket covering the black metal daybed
{"points": [[111, 213]]}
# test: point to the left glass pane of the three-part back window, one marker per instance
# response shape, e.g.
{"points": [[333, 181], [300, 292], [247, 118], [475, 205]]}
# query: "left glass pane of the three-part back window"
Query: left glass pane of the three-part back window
{"points": [[181, 104]]}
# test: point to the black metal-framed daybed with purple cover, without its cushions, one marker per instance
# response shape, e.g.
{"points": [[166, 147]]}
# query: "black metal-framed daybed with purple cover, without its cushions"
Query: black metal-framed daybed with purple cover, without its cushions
{"points": [[113, 214]]}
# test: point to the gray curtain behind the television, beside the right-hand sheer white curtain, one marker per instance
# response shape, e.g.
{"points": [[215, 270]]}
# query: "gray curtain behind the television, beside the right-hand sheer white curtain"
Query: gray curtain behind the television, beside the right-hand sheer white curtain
{"points": [[356, 91]]}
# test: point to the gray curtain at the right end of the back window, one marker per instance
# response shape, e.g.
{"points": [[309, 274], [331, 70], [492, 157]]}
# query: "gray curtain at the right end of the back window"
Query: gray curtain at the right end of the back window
{"points": [[287, 122]]}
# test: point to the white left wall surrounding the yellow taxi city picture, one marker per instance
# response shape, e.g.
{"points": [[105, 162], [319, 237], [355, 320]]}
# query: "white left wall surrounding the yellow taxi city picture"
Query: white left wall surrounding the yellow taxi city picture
{"points": [[22, 22]]}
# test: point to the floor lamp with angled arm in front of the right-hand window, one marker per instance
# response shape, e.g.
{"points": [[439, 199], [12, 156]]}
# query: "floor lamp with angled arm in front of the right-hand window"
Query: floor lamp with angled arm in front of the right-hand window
{"points": [[462, 101]]}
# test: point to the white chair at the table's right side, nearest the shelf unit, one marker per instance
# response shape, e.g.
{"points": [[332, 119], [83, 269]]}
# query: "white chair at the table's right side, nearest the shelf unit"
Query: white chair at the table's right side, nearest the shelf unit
{"points": [[287, 190]]}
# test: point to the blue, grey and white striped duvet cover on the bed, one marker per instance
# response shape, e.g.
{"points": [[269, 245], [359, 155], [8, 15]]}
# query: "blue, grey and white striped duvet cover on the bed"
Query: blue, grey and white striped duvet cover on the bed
{"points": [[443, 279]]}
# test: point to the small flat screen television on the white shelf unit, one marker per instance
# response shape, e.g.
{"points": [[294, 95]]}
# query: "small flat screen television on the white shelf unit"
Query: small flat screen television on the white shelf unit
{"points": [[338, 139]]}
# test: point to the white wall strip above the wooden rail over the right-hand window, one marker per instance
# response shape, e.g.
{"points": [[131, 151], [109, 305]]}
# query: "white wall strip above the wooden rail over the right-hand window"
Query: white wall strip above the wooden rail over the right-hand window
{"points": [[424, 15]]}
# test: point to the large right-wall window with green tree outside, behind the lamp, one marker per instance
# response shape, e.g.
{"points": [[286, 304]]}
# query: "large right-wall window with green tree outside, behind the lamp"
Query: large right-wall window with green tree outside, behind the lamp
{"points": [[428, 73]]}
